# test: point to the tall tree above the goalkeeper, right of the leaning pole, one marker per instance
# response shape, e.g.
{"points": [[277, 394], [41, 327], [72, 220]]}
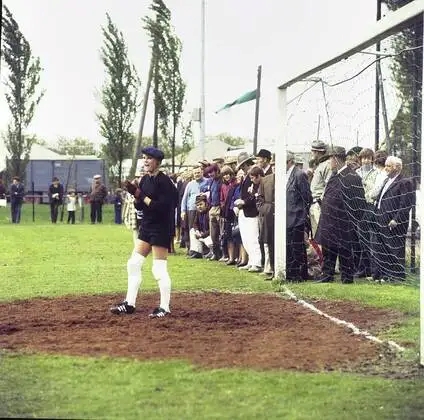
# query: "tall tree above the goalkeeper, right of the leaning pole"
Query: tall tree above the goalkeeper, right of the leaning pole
{"points": [[169, 87]]}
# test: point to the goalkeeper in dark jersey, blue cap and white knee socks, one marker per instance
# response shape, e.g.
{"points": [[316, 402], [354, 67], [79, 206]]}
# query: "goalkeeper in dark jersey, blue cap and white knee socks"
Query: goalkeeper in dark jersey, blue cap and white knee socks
{"points": [[157, 197]]}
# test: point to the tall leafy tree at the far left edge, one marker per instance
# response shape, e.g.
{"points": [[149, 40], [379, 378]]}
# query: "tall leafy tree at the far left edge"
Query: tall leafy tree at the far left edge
{"points": [[22, 95]]}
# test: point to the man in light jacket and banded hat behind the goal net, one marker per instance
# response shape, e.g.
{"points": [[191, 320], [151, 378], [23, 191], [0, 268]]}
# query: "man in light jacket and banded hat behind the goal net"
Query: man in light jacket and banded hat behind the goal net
{"points": [[320, 176]]}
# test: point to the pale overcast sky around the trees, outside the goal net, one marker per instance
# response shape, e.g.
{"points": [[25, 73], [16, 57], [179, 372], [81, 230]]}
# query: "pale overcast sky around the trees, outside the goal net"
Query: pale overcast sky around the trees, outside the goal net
{"points": [[285, 37]]}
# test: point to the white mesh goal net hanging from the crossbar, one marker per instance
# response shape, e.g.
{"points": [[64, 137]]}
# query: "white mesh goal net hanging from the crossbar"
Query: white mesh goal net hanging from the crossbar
{"points": [[378, 227]]}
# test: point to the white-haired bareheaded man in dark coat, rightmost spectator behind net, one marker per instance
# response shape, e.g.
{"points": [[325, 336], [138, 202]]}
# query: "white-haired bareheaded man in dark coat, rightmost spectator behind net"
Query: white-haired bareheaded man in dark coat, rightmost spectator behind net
{"points": [[392, 208]]}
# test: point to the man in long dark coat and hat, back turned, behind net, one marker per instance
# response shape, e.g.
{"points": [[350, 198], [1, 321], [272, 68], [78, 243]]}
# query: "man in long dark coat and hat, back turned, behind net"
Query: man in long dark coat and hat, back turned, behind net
{"points": [[342, 207]]}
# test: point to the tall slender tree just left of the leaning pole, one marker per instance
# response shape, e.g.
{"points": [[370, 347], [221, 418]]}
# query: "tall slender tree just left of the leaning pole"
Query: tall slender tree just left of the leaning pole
{"points": [[119, 99]]}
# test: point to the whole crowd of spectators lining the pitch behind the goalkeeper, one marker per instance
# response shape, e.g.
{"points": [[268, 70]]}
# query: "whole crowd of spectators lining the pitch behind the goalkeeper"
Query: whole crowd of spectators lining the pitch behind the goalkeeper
{"points": [[346, 212]]}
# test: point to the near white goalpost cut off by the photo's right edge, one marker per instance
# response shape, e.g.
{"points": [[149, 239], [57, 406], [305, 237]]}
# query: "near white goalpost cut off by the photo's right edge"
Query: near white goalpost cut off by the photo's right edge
{"points": [[421, 196]]}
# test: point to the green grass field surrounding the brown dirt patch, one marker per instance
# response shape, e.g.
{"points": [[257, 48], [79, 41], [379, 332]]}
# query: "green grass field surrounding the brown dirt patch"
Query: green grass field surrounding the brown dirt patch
{"points": [[39, 259]]}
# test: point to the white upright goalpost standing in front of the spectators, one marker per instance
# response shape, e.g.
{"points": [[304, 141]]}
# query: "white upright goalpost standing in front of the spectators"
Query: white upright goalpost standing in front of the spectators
{"points": [[280, 187]]}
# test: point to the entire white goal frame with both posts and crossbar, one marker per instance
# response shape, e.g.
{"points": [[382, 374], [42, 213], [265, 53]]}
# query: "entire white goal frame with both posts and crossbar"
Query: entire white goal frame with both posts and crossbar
{"points": [[387, 26]]}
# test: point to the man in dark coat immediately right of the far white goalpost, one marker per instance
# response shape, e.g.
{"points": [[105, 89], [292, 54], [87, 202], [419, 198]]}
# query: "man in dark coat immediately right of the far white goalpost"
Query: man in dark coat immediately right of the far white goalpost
{"points": [[299, 199]]}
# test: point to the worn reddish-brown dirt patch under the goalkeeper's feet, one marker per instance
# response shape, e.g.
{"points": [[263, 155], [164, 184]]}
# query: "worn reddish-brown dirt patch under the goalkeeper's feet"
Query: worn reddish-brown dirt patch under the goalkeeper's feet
{"points": [[208, 329]]}
